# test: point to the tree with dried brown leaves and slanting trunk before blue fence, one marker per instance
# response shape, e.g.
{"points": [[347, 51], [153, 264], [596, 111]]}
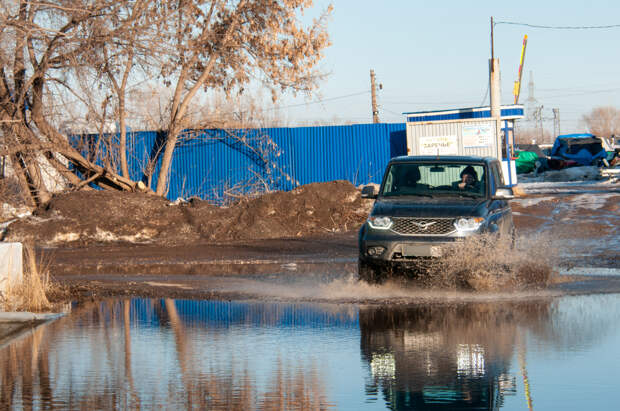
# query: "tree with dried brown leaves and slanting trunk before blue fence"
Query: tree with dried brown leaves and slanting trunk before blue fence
{"points": [[225, 44]]}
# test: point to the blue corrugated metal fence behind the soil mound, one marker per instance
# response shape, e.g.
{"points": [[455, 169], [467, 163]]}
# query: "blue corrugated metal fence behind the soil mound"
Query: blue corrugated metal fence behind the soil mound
{"points": [[220, 164]]}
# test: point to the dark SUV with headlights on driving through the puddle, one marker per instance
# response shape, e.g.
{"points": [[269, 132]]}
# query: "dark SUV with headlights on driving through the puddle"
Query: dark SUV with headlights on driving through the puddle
{"points": [[426, 202]]}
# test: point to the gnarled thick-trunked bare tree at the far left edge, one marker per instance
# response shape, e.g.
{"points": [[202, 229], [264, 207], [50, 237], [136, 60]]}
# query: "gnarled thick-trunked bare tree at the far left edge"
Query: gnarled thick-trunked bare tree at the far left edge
{"points": [[42, 42]]}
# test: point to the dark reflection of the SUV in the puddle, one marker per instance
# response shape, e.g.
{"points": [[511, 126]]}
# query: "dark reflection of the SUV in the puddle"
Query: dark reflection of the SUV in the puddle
{"points": [[453, 357]]}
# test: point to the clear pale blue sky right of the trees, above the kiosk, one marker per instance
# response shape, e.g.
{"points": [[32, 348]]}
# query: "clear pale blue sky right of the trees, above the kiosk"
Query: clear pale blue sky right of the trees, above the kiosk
{"points": [[434, 55]]}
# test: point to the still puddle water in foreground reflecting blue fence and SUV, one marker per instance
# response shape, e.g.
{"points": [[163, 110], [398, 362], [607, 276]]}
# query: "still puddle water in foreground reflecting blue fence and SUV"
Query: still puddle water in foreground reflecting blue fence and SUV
{"points": [[542, 353]]}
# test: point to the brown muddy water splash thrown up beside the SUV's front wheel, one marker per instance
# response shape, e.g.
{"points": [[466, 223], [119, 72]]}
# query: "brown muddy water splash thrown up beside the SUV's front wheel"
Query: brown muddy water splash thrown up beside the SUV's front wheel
{"points": [[491, 264]]}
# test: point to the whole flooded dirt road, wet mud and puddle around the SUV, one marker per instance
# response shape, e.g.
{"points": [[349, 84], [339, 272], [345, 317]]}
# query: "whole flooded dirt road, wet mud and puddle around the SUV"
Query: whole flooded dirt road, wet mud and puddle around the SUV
{"points": [[284, 324]]}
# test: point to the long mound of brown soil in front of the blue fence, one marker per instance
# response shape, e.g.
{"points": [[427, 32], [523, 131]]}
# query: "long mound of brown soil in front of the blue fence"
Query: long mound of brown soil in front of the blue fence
{"points": [[90, 217]]}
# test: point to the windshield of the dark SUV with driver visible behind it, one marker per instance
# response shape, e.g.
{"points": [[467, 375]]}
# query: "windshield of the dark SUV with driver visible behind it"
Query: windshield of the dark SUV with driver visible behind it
{"points": [[425, 179]]}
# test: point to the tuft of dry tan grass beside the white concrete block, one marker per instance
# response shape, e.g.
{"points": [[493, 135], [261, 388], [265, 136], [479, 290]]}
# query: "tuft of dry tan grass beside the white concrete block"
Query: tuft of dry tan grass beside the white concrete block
{"points": [[31, 294]]}
